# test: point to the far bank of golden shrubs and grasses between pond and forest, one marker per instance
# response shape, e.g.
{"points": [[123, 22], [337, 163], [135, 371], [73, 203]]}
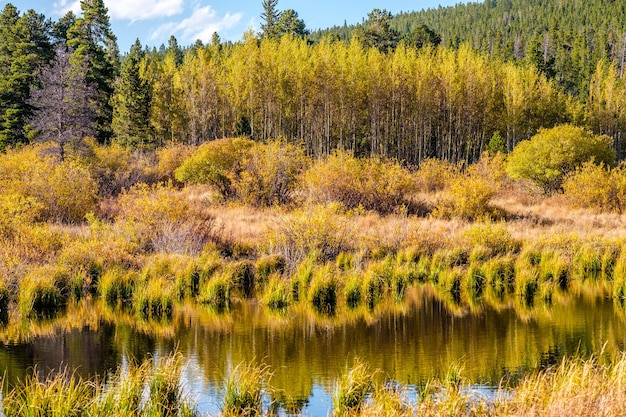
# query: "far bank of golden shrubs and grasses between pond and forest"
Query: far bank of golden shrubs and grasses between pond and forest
{"points": [[336, 234]]}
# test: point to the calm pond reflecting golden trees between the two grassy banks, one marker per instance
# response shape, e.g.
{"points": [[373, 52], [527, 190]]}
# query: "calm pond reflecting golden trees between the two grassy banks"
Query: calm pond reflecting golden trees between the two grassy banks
{"points": [[410, 343]]}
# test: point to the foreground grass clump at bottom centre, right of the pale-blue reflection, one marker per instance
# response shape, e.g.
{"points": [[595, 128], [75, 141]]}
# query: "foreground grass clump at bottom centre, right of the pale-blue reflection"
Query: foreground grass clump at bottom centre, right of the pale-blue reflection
{"points": [[351, 389]]}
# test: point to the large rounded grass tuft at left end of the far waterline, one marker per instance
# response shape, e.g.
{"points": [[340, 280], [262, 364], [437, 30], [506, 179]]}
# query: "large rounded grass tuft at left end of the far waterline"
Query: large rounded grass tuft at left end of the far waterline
{"points": [[44, 290]]}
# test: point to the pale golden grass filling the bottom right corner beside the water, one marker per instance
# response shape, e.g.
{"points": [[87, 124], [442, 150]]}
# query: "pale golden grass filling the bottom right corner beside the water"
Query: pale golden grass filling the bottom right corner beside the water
{"points": [[574, 388]]}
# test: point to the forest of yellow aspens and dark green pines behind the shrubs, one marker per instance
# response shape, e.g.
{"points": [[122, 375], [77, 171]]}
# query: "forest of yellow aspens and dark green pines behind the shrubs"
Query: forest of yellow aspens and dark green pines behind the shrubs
{"points": [[409, 97]]}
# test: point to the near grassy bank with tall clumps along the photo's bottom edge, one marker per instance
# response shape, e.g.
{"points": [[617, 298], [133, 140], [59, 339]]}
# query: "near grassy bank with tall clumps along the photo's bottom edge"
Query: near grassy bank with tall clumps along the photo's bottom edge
{"points": [[574, 387]]}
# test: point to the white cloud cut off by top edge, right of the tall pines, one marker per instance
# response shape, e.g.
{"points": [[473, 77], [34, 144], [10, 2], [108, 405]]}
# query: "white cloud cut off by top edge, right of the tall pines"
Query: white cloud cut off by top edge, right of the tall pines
{"points": [[143, 9]]}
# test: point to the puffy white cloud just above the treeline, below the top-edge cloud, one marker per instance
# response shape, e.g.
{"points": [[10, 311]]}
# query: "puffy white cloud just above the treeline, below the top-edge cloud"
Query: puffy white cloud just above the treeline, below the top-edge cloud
{"points": [[202, 23]]}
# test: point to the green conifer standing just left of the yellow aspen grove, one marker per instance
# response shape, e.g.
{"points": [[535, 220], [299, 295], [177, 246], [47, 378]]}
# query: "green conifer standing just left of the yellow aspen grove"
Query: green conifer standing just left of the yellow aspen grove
{"points": [[131, 102]]}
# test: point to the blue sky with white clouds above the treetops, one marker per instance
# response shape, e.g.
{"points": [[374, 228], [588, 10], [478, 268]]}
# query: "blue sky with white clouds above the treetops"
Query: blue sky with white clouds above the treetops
{"points": [[154, 21]]}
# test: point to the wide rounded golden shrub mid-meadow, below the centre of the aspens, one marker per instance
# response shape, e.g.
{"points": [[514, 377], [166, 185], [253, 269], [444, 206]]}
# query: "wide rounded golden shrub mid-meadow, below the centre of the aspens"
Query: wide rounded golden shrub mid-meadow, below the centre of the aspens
{"points": [[373, 184]]}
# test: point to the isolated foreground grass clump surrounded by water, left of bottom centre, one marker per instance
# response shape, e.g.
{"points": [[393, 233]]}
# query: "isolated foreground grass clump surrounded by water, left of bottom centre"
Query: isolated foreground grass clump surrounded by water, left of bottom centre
{"points": [[243, 390]]}
